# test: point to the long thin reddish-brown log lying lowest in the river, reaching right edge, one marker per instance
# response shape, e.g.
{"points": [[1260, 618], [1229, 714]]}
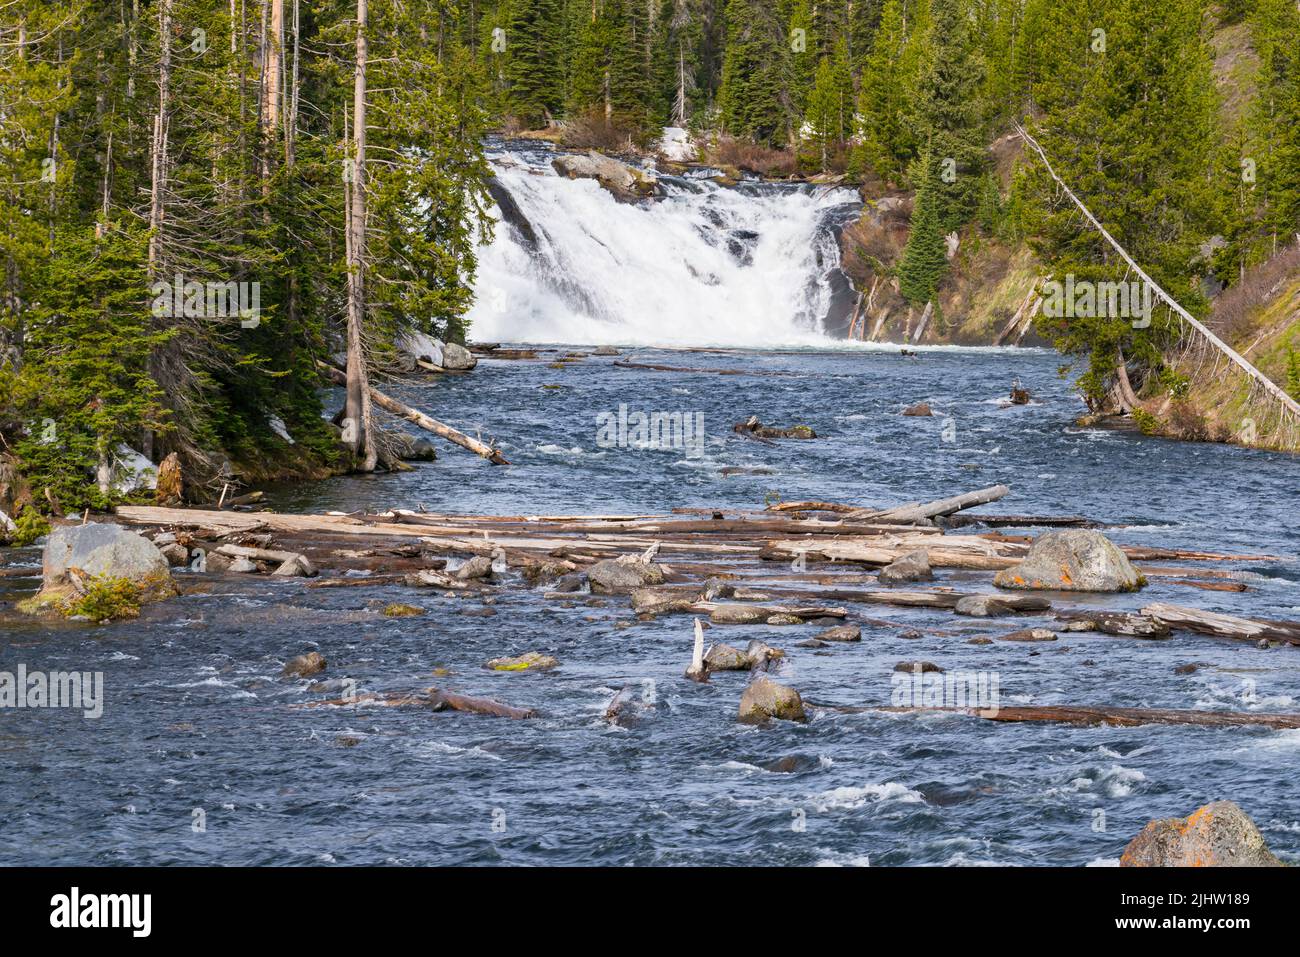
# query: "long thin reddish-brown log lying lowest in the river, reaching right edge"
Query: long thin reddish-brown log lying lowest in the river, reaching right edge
{"points": [[1094, 716]]}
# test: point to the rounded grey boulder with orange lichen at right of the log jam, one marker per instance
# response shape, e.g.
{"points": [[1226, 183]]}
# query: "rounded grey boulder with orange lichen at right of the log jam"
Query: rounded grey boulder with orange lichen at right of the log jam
{"points": [[1077, 560]]}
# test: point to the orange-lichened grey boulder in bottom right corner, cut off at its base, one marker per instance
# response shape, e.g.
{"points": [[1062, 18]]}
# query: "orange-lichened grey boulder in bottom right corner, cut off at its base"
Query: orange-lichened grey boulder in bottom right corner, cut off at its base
{"points": [[1217, 835]]}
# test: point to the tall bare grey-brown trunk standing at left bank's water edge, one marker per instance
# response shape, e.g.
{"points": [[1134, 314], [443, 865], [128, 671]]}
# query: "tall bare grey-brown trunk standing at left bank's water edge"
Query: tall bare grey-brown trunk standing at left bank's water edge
{"points": [[359, 431]]}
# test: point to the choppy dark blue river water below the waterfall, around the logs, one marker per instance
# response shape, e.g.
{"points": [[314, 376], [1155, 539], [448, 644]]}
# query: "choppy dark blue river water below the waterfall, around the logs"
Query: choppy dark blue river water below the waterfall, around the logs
{"points": [[198, 718]]}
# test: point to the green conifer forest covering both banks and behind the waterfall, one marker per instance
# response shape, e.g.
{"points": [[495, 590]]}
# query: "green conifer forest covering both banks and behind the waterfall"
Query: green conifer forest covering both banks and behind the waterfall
{"points": [[331, 151]]}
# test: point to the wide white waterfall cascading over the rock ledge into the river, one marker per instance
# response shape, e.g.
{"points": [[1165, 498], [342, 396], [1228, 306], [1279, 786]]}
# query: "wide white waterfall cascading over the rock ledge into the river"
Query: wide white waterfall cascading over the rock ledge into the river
{"points": [[705, 266]]}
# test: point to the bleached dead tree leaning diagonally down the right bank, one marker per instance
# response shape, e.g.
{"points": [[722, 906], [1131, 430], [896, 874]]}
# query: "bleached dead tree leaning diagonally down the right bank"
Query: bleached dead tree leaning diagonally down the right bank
{"points": [[1267, 409]]}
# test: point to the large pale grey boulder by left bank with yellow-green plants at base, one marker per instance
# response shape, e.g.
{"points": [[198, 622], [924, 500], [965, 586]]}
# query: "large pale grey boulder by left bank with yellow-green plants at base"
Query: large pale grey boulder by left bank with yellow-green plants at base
{"points": [[76, 555]]}
